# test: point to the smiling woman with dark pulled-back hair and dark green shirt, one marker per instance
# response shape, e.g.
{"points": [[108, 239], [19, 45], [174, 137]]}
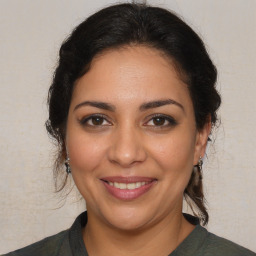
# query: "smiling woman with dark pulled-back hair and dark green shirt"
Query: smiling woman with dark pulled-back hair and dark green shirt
{"points": [[132, 104]]}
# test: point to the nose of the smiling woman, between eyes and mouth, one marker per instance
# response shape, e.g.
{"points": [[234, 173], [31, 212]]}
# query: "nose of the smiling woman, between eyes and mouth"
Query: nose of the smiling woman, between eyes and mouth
{"points": [[127, 147]]}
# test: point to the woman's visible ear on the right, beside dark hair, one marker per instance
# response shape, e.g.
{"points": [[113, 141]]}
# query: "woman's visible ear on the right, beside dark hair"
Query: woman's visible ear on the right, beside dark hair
{"points": [[201, 141]]}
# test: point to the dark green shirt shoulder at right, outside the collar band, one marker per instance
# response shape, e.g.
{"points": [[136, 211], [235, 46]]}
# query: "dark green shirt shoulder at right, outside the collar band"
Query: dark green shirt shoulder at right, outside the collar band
{"points": [[215, 245]]}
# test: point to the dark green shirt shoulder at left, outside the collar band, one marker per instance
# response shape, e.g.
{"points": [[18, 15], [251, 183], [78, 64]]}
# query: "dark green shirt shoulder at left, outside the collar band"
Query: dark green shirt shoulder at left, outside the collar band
{"points": [[50, 246]]}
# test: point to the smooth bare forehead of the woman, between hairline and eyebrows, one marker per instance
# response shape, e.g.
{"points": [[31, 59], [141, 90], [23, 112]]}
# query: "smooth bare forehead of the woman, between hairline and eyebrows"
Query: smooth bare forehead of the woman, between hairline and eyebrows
{"points": [[131, 74]]}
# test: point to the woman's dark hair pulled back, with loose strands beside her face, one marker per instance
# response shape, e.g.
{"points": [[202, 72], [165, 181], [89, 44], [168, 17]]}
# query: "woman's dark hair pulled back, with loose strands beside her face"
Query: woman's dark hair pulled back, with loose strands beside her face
{"points": [[134, 24]]}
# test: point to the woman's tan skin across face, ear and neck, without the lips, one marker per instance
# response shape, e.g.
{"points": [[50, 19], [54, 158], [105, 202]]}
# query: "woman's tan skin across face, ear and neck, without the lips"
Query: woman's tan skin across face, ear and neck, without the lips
{"points": [[130, 141]]}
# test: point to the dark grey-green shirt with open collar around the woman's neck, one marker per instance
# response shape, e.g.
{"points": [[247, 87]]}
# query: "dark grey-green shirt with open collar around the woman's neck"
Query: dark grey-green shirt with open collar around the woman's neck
{"points": [[199, 242]]}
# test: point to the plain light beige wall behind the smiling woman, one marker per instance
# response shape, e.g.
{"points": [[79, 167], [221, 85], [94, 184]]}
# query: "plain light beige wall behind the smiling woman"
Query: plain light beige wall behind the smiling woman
{"points": [[31, 34]]}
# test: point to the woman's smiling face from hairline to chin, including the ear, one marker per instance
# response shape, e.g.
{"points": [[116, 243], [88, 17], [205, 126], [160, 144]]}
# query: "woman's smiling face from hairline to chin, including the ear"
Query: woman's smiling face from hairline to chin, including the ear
{"points": [[132, 138]]}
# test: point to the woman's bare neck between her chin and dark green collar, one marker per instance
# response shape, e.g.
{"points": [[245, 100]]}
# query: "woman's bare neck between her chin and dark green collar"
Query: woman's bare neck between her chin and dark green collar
{"points": [[160, 238]]}
